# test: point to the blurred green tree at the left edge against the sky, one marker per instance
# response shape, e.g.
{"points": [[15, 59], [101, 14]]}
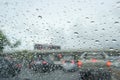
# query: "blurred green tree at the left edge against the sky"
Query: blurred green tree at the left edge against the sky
{"points": [[4, 41]]}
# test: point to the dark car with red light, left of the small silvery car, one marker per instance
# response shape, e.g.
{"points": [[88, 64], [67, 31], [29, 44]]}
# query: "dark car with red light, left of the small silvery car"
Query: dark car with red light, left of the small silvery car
{"points": [[42, 65]]}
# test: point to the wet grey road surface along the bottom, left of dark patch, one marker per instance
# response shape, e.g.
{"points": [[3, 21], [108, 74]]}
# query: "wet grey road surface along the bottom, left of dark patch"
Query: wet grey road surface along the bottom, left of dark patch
{"points": [[56, 75]]}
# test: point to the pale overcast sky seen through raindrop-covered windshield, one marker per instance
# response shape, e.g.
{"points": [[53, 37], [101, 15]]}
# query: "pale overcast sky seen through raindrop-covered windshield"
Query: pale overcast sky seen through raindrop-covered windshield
{"points": [[72, 24]]}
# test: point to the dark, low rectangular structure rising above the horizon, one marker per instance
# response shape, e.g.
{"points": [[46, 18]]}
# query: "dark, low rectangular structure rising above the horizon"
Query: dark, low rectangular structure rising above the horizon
{"points": [[46, 47]]}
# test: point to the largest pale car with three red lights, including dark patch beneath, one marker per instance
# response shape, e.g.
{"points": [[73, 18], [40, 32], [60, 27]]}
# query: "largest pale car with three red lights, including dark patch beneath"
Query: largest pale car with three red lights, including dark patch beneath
{"points": [[93, 64]]}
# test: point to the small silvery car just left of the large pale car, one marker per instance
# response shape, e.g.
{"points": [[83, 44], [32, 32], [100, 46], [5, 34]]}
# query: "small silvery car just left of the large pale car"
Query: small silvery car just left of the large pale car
{"points": [[69, 65]]}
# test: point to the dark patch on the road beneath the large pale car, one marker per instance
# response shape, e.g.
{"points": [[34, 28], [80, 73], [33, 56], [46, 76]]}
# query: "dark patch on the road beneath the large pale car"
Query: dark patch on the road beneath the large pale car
{"points": [[93, 74]]}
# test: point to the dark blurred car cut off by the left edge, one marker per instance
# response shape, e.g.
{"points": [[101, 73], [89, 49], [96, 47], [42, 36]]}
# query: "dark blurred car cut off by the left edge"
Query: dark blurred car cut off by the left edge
{"points": [[8, 68]]}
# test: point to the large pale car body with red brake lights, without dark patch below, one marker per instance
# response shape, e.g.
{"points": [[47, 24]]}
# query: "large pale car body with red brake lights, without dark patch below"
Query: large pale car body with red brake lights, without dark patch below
{"points": [[93, 60]]}
